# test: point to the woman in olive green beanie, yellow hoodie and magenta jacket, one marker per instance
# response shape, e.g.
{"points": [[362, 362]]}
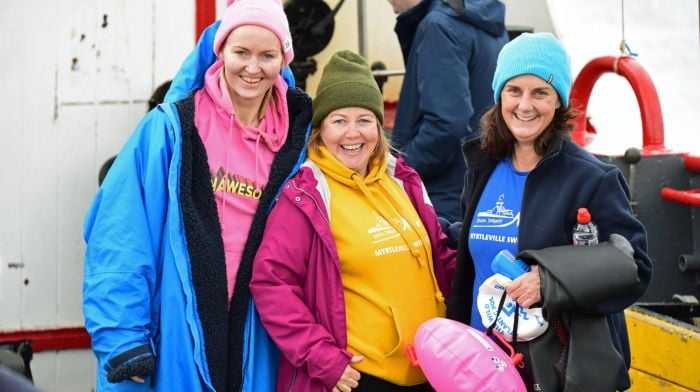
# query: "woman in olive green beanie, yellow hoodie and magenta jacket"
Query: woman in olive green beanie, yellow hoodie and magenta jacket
{"points": [[354, 249]]}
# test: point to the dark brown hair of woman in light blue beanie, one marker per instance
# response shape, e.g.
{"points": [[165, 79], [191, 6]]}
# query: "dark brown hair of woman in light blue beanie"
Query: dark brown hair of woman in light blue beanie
{"points": [[498, 141]]}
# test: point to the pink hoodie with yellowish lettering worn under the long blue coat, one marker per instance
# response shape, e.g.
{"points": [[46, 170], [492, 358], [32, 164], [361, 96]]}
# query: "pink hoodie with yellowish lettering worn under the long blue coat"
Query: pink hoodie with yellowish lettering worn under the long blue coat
{"points": [[239, 157]]}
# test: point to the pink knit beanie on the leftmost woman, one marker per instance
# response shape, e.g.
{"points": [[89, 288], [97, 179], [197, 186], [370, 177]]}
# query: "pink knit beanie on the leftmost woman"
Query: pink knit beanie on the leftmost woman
{"points": [[264, 13]]}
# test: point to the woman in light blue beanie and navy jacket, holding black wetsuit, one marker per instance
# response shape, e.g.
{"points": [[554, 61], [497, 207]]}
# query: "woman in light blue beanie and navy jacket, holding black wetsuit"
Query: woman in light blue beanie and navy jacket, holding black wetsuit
{"points": [[525, 182]]}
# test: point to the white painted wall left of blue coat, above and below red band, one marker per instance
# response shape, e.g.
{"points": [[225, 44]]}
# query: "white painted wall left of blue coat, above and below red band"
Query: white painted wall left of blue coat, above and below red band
{"points": [[75, 84]]}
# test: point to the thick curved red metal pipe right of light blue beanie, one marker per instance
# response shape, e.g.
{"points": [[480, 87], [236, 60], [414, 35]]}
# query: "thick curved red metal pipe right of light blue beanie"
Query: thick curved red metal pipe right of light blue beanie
{"points": [[644, 90]]}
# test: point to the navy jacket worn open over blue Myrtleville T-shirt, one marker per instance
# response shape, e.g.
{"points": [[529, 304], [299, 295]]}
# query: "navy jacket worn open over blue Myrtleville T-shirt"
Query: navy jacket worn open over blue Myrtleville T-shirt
{"points": [[564, 180]]}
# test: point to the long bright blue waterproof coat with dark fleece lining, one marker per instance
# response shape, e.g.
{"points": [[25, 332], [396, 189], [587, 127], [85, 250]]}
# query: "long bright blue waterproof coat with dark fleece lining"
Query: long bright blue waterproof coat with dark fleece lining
{"points": [[155, 282]]}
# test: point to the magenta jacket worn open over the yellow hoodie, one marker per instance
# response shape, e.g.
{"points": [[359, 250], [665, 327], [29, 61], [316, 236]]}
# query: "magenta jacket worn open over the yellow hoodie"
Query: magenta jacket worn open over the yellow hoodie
{"points": [[296, 283]]}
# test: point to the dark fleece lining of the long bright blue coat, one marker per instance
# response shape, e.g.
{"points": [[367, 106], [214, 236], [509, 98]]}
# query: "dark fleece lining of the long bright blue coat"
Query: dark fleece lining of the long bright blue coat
{"points": [[223, 333]]}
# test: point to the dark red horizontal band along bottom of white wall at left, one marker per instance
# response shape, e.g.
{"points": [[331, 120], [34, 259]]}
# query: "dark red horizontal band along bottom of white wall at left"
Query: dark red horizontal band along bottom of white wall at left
{"points": [[50, 339]]}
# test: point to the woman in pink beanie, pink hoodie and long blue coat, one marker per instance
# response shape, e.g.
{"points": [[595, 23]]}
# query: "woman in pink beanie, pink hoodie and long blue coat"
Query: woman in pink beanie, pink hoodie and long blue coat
{"points": [[172, 232]]}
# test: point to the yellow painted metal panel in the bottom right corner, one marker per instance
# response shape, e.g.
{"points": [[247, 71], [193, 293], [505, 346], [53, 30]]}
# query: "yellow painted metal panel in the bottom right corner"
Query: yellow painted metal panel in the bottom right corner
{"points": [[664, 348]]}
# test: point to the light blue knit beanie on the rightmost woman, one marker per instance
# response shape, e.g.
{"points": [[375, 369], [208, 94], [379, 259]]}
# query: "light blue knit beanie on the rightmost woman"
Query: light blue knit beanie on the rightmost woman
{"points": [[539, 54]]}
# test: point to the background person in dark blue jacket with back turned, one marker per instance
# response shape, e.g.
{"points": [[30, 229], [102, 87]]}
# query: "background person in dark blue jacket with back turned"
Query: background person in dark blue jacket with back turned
{"points": [[449, 49]]}
